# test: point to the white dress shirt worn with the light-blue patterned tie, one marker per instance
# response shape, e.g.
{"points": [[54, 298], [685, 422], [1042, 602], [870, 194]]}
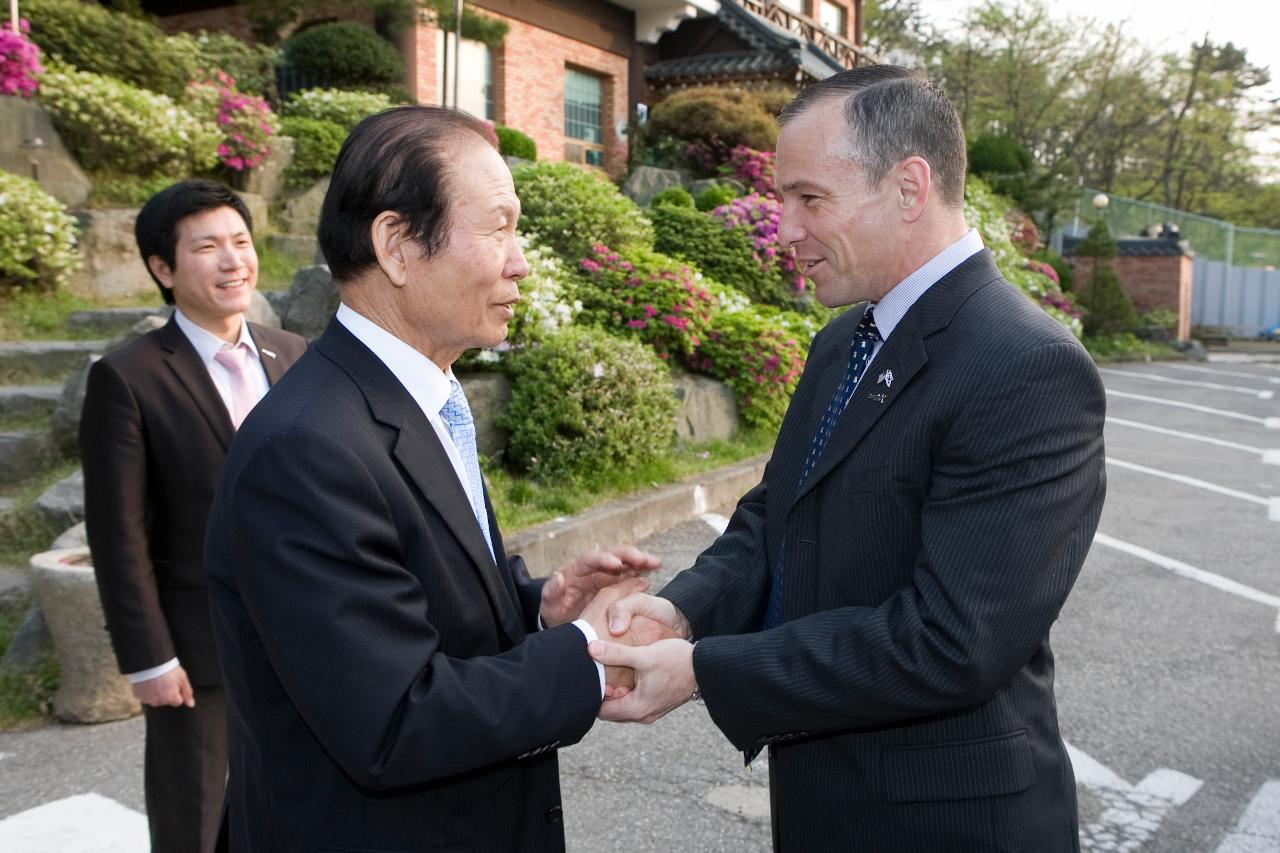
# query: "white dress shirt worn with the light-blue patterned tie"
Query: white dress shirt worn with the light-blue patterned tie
{"points": [[429, 387]]}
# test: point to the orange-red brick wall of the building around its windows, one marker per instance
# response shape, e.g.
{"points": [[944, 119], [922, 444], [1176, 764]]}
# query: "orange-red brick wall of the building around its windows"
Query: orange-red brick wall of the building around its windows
{"points": [[529, 85]]}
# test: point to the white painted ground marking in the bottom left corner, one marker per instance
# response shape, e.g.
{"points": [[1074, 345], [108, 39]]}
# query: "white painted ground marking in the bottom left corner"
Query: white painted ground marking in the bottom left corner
{"points": [[75, 825]]}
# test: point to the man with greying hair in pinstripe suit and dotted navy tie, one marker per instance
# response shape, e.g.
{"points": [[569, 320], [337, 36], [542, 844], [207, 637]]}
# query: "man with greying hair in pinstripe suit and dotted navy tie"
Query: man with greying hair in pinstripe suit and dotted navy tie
{"points": [[879, 612]]}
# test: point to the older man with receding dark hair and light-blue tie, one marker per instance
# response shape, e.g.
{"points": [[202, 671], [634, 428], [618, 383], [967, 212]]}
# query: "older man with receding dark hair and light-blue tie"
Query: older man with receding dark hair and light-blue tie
{"points": [[396, 682]]}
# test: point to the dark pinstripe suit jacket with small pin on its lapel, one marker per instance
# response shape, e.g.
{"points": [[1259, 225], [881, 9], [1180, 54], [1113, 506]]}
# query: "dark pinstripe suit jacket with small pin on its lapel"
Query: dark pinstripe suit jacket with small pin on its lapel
{"points": [[908, 697]]}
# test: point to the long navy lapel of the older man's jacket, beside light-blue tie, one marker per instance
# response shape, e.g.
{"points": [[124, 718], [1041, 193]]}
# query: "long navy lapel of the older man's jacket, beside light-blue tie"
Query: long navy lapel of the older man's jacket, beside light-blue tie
{"points": [[426, 462]]}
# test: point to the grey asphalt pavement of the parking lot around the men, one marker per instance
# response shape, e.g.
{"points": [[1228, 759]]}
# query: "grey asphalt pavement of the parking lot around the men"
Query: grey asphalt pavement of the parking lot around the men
{"points": [[1168, 668]]}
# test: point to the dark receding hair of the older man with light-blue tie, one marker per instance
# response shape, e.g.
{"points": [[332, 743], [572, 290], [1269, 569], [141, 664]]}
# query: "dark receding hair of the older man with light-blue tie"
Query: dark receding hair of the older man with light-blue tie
{"points": [[394, 161]]}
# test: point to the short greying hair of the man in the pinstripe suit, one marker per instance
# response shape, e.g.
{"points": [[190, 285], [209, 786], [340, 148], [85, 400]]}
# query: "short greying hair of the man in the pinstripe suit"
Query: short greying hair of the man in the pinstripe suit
{"points": [[893, 113]]}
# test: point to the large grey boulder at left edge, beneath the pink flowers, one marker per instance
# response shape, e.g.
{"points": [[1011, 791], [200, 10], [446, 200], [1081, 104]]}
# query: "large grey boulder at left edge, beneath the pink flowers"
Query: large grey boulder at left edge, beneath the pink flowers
{"points": [[28, 135]]}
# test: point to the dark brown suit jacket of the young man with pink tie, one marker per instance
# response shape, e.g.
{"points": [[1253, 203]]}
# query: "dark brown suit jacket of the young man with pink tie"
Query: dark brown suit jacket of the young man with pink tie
{"points": [[154, 436]]}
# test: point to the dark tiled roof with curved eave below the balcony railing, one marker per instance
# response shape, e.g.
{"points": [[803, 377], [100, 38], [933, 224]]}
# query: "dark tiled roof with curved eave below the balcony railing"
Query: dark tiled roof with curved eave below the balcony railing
{"points": [[775, 52]]}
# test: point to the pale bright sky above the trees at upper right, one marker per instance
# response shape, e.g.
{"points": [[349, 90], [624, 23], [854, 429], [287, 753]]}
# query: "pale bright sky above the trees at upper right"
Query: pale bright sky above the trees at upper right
{"points": [[1174, 26]]}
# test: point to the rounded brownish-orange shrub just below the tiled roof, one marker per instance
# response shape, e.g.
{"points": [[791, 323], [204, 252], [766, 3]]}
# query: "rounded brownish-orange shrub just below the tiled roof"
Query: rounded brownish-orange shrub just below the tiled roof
{"points": [[717, 120]]}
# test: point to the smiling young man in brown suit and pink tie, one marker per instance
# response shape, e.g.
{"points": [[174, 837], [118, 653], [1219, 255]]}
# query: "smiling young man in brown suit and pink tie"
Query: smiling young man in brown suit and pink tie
{"points": [[159, 417]]}
